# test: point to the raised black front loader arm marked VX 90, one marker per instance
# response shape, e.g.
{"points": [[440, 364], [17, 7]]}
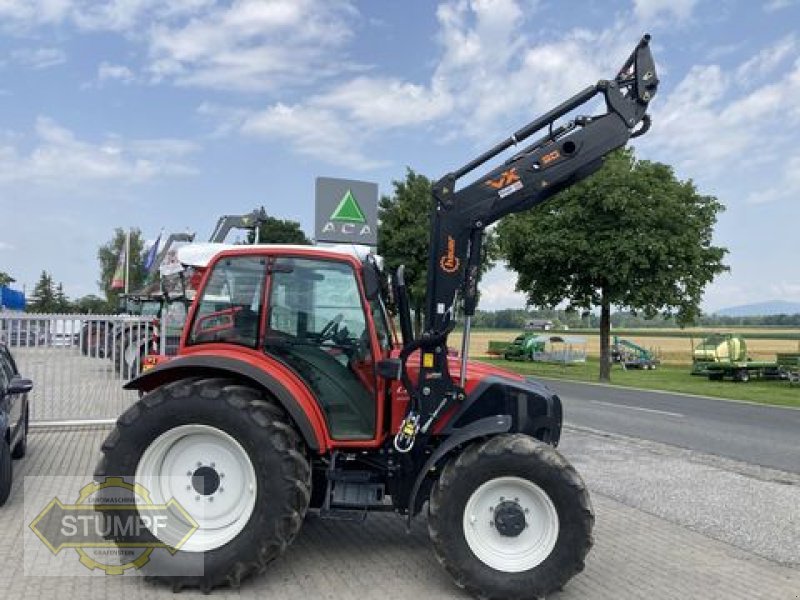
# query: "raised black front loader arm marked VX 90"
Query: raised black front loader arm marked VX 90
{"points": [[562, 157]]}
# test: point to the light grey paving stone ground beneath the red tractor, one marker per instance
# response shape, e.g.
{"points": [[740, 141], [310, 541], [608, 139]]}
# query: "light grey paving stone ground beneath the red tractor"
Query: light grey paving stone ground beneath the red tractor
{"points": [[636, 555]]}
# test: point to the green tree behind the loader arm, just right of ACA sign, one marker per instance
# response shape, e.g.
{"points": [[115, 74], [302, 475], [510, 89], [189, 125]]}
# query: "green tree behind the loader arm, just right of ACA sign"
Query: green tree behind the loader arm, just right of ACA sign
{"points": [[404, 236]]}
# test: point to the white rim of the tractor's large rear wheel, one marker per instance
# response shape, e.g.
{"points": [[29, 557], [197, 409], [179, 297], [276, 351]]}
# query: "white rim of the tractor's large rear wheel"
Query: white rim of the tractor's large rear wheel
{"points": [[174, 466]]}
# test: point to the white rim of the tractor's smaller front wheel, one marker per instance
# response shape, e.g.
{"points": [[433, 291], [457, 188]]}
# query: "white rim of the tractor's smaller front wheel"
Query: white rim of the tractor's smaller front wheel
{"points": [[511, 554]]}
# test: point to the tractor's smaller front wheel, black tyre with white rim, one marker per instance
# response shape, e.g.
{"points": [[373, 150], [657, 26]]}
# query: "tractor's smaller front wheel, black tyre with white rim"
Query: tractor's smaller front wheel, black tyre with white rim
{"points": [[510, 518]]}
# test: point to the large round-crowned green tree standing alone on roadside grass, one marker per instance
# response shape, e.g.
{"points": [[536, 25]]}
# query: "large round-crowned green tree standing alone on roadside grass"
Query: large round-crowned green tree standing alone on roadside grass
{"points": [[632, 235]]}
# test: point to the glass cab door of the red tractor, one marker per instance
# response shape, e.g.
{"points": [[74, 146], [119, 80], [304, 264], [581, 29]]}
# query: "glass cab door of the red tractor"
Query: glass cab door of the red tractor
{"points": [[318, 323]]}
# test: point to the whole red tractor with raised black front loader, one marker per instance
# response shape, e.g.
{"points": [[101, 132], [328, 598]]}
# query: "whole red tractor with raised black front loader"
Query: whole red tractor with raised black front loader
{"points": [[291, 391]]}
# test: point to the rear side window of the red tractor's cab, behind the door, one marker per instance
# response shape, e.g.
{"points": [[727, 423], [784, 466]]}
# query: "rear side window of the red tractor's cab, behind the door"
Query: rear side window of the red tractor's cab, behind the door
{"points": [[230, 306]]}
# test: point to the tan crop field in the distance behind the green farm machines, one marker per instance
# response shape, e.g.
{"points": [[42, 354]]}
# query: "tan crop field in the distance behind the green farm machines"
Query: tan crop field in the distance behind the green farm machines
{"points": [[672, 350]]}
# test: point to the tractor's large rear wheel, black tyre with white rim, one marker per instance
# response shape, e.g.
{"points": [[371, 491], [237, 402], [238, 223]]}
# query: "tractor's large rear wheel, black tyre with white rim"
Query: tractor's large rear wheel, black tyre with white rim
{"points": [[211, 424]]}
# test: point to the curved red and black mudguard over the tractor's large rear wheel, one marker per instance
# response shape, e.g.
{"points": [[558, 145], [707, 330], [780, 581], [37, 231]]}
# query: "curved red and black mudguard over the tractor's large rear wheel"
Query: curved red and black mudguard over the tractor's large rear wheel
{"points": [[203, 365]]}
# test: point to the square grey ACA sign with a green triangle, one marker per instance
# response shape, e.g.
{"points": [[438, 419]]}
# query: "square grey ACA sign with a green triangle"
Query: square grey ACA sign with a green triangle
{"points": [[346, 211]]}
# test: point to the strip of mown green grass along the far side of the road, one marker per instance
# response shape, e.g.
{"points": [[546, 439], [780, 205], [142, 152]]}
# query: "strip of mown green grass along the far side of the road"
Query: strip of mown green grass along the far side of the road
{"points": [[672, 378]]}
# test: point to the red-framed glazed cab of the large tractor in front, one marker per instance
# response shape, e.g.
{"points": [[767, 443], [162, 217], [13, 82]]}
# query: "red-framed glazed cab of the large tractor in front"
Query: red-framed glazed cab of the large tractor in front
{"points": [[308, 310]]}
